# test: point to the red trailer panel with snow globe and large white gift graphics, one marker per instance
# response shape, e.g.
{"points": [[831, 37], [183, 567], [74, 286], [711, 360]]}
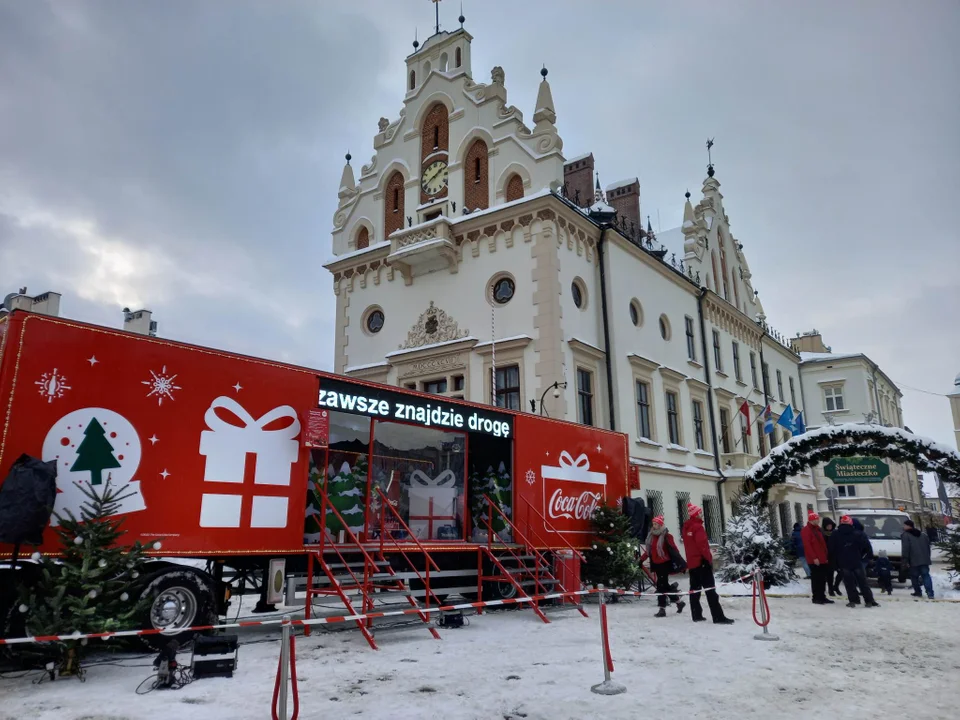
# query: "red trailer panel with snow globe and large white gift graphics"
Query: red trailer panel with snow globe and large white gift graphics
{"points": [[206, 444]]}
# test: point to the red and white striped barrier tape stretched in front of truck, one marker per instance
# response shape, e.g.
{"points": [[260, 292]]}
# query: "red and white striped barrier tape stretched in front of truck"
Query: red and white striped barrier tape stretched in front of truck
{"points": [[329, 620]]}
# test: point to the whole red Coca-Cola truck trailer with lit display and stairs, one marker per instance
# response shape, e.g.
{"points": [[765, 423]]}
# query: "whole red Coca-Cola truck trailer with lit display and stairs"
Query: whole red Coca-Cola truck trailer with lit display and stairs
{"points": [[254, 474]]}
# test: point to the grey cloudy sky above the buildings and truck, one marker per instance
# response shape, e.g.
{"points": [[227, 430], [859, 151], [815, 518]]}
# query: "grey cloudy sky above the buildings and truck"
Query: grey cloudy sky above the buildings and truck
{"points": [[184, 155]]}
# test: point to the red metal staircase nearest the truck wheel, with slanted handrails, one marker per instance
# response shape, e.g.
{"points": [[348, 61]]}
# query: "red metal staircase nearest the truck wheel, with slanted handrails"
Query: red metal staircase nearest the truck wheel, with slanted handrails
{"points": [[352, 569]]}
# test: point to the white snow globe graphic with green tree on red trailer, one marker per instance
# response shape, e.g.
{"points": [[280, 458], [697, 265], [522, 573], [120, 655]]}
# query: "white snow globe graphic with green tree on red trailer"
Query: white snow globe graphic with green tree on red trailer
{"points": [[92, 446]]}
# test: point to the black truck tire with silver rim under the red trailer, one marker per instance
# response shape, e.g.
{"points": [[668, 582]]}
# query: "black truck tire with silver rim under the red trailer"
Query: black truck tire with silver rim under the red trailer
{"points": [[178, 598]]}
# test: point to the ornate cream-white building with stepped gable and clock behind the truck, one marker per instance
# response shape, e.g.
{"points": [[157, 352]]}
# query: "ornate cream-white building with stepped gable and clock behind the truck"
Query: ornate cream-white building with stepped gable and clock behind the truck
{"points": [[472, 259]]}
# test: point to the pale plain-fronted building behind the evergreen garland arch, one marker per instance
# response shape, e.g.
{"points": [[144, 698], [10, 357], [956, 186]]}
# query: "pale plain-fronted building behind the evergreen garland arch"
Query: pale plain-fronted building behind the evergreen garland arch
{"points": [[844, 388]]}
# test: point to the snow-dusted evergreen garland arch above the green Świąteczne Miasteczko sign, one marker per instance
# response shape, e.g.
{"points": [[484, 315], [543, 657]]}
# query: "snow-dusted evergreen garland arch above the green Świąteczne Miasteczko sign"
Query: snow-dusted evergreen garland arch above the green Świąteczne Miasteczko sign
{"points": [[849, 440]]}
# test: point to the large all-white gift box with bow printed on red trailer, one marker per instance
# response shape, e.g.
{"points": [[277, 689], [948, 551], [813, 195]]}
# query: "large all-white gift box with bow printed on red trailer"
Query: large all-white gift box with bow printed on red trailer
{"points": [[226, 445]]}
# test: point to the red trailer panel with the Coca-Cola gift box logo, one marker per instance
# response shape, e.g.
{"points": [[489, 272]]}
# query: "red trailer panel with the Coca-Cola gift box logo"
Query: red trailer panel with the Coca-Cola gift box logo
{"points": [[563, 471]]}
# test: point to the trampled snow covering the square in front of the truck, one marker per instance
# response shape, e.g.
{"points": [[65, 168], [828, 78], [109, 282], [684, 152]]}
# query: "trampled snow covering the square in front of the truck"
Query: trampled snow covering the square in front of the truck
{"points": [[903, 657]]}
